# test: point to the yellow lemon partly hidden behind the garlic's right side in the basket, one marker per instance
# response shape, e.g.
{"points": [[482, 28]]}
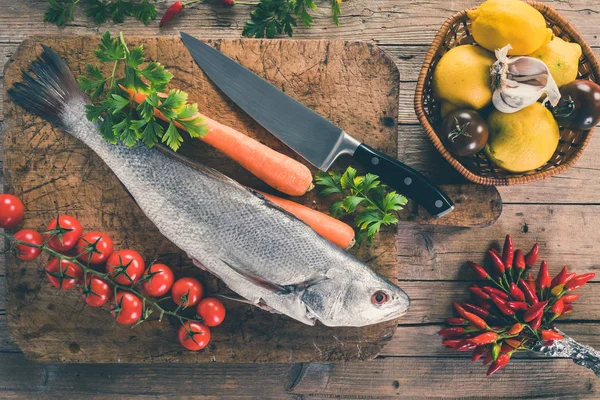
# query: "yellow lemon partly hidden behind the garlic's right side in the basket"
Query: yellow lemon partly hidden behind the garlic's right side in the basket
{"points": [[562, 59]]}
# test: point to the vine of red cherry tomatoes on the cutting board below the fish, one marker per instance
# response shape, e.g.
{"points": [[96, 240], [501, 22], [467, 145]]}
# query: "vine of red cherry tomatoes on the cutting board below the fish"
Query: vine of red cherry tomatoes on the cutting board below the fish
{"points": [[125, 270]]}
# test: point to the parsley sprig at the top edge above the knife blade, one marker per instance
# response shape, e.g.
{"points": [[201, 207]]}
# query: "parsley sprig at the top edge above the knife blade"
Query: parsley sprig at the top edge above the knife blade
{"points": [[274, 17]]}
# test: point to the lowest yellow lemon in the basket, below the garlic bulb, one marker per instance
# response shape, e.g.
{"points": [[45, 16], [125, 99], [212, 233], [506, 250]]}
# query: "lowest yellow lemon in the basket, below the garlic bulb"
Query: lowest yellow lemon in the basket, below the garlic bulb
{"points": [[524, 140]]}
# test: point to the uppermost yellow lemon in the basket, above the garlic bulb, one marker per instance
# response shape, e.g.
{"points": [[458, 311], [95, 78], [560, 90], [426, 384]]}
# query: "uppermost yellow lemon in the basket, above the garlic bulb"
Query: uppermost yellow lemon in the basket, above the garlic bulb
{"points": [[497, 23]]}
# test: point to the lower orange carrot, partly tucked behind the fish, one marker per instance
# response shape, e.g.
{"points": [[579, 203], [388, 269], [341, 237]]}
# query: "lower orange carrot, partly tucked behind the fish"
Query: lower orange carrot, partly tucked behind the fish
{"points": [[334, 230]]}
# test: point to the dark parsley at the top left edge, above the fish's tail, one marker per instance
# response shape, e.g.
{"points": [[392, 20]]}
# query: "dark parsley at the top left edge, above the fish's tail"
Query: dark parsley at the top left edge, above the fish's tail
{"points": [[62, 11]]}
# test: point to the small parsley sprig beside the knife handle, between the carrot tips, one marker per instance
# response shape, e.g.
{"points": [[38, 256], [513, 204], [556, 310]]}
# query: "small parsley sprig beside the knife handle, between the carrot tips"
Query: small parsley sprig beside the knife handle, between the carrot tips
{"points": [[365, 197]]}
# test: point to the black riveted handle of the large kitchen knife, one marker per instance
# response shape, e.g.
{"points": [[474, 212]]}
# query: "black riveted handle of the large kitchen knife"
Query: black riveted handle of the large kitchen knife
{"points": [[405, 180]]}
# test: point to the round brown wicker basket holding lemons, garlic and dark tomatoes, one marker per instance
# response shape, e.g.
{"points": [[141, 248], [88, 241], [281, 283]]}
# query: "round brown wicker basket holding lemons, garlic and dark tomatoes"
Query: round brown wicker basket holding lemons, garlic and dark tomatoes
{"points": [[478, 168]]}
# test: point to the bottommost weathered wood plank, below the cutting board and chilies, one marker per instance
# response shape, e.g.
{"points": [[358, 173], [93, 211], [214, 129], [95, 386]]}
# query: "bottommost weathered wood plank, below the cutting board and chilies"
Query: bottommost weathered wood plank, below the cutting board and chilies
{"points": [[378, 379]]}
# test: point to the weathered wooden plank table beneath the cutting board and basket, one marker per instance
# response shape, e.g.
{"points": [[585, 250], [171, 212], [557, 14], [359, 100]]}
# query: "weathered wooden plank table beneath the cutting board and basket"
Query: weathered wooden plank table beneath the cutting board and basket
{"points": [[561, 213]]}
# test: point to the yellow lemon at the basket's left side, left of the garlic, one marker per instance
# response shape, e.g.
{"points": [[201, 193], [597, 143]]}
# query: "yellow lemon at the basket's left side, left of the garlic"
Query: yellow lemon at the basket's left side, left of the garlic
{"points": [[462, 77]]}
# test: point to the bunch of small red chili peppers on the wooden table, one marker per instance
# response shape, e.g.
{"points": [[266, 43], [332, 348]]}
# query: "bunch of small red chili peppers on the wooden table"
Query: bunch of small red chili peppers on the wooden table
{"points": [[511, 310]]}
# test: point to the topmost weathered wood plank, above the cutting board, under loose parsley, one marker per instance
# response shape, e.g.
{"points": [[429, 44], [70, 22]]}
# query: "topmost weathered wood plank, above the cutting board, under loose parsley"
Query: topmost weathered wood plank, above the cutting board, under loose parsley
{"points": [[381, 21]]}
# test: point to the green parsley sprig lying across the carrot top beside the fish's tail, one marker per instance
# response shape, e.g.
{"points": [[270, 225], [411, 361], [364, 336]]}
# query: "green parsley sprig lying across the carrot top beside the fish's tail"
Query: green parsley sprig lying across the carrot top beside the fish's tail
{"points": [[119, 116]]}
